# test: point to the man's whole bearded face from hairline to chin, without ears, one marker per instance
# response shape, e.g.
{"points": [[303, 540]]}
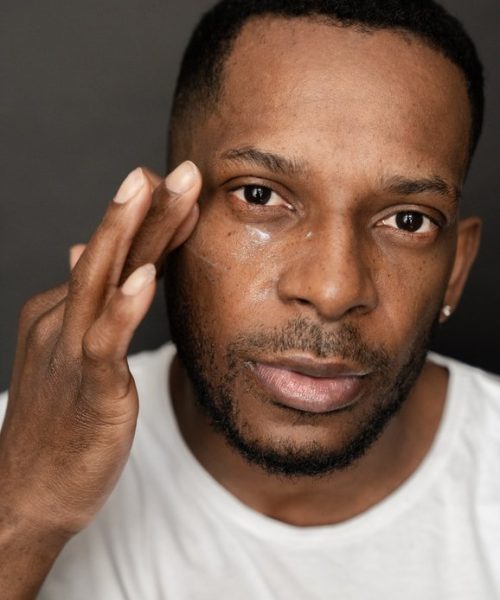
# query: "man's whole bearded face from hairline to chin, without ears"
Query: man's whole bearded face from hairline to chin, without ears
{"points": [[303, 303]]}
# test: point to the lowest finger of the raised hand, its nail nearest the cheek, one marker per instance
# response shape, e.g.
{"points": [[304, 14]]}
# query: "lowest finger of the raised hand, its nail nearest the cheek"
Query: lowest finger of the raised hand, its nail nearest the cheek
{"points": [[106, 343]]}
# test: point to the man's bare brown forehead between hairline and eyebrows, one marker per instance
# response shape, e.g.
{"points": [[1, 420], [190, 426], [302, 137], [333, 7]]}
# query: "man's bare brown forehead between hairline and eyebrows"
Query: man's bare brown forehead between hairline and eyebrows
{"points": [[318, 87]]}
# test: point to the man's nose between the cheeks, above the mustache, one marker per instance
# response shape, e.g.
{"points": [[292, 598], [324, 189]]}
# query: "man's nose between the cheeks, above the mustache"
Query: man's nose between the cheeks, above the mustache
{"points": [[329, 273]]}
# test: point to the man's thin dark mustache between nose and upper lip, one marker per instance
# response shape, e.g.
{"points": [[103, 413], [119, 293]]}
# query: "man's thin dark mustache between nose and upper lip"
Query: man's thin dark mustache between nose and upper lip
{"points": [[304, 335]]}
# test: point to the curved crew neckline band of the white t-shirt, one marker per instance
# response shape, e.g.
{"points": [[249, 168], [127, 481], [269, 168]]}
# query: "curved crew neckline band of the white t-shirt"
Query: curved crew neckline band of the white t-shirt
{"points": [[400, 500]]}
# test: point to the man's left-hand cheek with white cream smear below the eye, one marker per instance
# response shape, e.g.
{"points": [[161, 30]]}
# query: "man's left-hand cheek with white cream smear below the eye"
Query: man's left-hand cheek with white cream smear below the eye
{"points": [[234, 268]]}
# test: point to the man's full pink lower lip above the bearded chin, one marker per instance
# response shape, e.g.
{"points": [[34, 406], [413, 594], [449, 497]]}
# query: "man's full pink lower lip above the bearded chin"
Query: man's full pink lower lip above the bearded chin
{"points": [[309, 394]]}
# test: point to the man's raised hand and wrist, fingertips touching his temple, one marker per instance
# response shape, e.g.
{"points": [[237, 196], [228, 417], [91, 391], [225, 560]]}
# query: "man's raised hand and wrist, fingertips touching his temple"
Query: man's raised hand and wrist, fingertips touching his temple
{"points": [[73, 404]]}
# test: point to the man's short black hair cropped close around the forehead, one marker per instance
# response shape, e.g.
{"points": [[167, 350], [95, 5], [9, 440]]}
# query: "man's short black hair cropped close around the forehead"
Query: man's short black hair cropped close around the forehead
{"points": [[200, 76]]}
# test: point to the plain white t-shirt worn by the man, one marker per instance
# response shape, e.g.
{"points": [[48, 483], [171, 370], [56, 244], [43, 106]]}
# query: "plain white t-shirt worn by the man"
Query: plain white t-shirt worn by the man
{"points": [[169, 530]]}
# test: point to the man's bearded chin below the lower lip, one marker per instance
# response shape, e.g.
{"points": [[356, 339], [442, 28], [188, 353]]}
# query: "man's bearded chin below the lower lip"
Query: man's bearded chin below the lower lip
{"points": [[287, 443]]}
